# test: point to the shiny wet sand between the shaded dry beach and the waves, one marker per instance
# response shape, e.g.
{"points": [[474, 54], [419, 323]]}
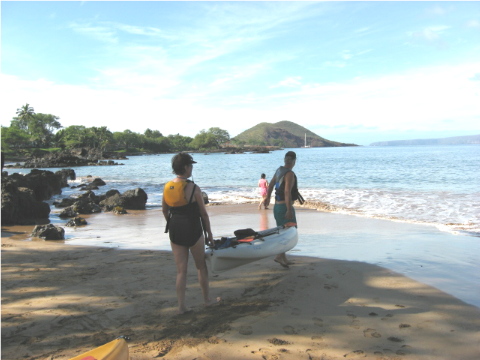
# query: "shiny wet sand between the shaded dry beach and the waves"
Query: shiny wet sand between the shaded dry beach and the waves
{"points": [[419, 251]]}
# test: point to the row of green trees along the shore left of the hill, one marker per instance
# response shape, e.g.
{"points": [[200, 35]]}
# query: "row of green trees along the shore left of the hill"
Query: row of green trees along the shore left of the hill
{"points": [[29, 130]]}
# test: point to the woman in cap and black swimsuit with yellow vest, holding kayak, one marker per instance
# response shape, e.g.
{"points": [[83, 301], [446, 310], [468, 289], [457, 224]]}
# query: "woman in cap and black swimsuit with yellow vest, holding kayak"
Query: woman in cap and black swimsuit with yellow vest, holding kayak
{"points": [[188, 225]]}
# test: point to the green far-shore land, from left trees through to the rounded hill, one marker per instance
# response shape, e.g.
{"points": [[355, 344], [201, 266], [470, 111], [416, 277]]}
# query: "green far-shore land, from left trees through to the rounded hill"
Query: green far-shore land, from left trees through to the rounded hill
{"points": [[33, 133]]}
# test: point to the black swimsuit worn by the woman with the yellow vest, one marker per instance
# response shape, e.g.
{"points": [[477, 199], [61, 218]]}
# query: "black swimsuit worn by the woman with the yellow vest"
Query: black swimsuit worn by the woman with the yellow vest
{"points": [[184, 224]]}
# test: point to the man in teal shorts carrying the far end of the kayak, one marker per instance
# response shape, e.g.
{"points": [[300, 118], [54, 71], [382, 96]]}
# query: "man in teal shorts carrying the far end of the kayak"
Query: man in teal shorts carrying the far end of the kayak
{"points": [[285, 183]]}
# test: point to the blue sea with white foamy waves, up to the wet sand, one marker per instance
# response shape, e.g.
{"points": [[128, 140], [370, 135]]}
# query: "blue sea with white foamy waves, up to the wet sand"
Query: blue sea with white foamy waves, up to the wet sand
{"points": [[437, 185]]}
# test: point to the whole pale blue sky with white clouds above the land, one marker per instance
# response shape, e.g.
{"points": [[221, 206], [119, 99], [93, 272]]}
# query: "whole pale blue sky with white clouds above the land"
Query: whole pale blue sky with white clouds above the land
{"points": [[354, 72]]}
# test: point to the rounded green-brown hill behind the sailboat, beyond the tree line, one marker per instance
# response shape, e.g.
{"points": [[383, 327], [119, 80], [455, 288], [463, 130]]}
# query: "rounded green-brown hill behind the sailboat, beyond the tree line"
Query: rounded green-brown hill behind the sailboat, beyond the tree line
{"points": [[285, 134]]}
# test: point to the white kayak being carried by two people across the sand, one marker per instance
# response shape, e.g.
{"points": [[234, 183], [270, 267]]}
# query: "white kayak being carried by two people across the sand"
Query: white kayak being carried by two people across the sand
{"points": [[266, 243]]}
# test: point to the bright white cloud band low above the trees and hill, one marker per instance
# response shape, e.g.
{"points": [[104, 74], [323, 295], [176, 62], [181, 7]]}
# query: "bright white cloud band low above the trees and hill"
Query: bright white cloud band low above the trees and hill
{"points": [[421, 100]]}
